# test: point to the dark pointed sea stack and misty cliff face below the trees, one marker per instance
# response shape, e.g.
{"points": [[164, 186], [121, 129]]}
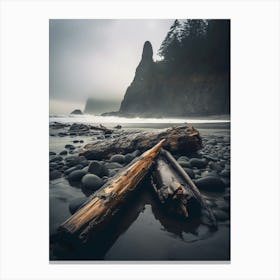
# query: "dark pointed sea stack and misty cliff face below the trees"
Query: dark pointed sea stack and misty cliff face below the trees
{"points": [[156, 92]]}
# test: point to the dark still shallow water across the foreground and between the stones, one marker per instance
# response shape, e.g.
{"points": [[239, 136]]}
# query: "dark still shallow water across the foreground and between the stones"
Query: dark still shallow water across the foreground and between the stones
{"points": [[142, 230]]}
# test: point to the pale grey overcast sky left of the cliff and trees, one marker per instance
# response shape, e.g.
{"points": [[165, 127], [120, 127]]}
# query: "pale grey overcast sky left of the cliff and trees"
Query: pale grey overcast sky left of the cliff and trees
{"points": [[97, 58]]}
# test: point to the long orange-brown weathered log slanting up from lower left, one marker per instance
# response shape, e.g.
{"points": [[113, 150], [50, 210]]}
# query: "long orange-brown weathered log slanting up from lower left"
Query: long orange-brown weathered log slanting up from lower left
{"points": [[100, 207]]}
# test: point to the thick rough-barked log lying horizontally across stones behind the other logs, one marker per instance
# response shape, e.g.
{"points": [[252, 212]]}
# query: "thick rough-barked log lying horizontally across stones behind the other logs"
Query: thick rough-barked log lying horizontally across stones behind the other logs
{"points": [[183, 138]]}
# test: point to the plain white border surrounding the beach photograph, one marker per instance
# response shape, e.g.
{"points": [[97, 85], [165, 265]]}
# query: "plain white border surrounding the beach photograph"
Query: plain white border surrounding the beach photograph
{"points": [[255, 138]]}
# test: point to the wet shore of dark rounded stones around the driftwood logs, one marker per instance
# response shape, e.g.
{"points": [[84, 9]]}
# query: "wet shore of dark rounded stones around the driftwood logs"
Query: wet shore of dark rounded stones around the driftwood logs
{"points": [[73, 177]]}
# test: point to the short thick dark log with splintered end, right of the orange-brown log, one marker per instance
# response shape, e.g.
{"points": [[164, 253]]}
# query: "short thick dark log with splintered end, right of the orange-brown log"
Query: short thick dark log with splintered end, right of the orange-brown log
{"points": [[172, 190]]}
